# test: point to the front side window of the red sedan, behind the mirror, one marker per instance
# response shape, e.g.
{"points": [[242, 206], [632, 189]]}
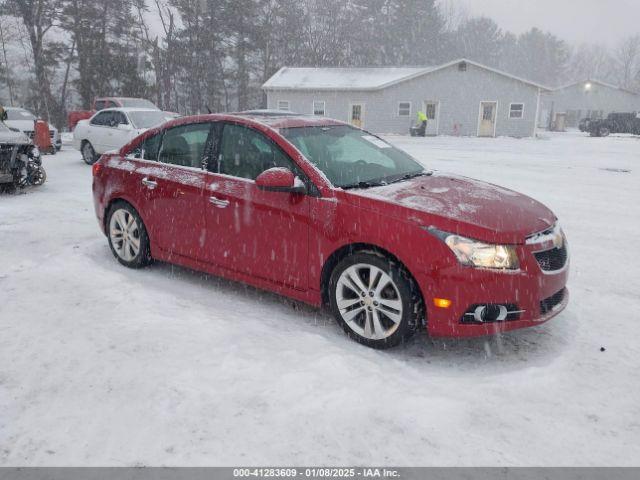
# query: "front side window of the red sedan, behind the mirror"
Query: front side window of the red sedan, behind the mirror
{"points": [[246, 153]]}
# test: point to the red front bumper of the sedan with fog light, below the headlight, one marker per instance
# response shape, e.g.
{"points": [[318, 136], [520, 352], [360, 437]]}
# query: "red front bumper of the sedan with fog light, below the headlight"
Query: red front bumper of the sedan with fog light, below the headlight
{"points": [[466, 287]]}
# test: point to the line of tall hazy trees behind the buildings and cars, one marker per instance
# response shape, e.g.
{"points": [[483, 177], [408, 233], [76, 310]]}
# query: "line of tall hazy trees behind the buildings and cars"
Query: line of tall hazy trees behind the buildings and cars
{"points": [[189, 56]]}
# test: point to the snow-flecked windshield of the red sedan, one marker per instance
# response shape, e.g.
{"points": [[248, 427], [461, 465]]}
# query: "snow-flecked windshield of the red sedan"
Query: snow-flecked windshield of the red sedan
{"points": [[352, 158]]}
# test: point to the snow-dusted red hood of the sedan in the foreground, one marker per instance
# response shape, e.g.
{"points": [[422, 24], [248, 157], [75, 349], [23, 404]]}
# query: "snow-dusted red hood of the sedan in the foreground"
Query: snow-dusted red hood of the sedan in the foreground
{"points": [[457, 204]]}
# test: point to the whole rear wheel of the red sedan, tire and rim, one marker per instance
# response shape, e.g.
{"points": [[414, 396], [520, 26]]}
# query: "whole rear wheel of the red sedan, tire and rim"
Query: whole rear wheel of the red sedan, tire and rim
{"points": [[128, 238]]}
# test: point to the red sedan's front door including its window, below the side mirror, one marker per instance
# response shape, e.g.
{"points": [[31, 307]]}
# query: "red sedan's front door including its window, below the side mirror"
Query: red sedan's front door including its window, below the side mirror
{"points": [[251, 231]]}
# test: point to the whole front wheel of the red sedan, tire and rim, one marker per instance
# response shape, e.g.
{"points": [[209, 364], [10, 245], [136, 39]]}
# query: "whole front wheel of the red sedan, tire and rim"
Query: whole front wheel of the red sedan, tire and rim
{"points": [[375, 300]]}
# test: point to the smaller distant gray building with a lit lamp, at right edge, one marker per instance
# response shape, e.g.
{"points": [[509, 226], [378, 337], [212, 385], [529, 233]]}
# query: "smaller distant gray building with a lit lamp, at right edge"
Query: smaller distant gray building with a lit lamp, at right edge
{"points": [[586, 99]]}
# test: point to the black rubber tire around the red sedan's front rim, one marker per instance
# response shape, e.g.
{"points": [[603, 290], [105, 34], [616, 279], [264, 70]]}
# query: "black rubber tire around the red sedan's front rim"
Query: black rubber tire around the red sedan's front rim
{"points": [[409, 295]]}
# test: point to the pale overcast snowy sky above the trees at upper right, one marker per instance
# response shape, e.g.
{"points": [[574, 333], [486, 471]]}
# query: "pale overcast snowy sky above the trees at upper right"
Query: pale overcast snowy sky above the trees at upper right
{"points": [[593, 21]]}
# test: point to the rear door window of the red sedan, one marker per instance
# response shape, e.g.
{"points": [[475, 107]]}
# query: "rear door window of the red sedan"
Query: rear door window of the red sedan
{"points": [[185, 145]]}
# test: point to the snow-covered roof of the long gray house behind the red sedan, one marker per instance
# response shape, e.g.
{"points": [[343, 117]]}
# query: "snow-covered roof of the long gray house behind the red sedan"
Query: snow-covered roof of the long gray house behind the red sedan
{"points": [[367, 78]]}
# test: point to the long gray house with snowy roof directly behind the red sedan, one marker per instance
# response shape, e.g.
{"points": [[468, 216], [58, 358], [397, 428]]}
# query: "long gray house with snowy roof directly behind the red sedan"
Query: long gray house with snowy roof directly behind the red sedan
{"points": [[459, 98]]}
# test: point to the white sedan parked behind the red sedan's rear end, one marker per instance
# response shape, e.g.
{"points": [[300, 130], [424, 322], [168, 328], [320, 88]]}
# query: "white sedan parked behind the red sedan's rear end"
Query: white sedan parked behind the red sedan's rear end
{"points": [[112, 128]]}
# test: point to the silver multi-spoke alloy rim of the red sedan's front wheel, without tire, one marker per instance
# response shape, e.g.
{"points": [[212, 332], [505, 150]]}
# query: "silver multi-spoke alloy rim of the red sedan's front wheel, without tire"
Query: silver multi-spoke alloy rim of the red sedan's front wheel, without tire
{"points": [[369, 301]]}
